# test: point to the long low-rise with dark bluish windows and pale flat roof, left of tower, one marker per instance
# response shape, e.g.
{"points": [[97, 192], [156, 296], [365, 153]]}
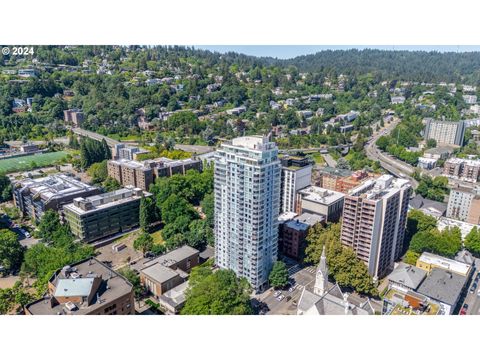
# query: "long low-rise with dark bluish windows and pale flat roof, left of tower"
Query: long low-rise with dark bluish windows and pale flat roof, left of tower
{"points": [[103, 215]]}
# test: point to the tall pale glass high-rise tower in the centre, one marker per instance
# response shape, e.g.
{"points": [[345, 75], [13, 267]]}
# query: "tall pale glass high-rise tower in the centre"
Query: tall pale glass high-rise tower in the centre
{"points": [[247, 200]]}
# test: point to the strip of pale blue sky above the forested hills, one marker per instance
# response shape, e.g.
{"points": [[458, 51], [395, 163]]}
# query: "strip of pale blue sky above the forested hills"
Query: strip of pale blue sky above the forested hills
{"points": [[289, 51]]}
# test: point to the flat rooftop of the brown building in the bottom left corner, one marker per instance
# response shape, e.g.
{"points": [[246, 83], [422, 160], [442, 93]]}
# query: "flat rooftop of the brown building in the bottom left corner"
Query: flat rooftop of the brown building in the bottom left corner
{"points": [[112, 287]]}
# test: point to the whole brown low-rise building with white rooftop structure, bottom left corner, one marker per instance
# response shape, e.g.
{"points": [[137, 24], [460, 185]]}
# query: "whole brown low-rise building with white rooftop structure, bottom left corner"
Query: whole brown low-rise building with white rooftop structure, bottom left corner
{"points": [[87, 287]]}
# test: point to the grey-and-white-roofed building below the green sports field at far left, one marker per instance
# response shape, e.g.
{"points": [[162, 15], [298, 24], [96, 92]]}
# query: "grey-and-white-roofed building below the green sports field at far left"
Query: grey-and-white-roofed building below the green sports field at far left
{"points": [[35, 196]]}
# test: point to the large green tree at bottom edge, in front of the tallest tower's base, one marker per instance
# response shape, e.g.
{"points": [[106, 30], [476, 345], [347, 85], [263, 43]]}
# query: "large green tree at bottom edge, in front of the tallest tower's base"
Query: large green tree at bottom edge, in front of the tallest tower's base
{"points": [[217, 293]]}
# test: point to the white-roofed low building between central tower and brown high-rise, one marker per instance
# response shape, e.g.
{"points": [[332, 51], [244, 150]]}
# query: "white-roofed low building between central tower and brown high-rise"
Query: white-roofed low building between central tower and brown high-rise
{"points": [[320, 201]]}
